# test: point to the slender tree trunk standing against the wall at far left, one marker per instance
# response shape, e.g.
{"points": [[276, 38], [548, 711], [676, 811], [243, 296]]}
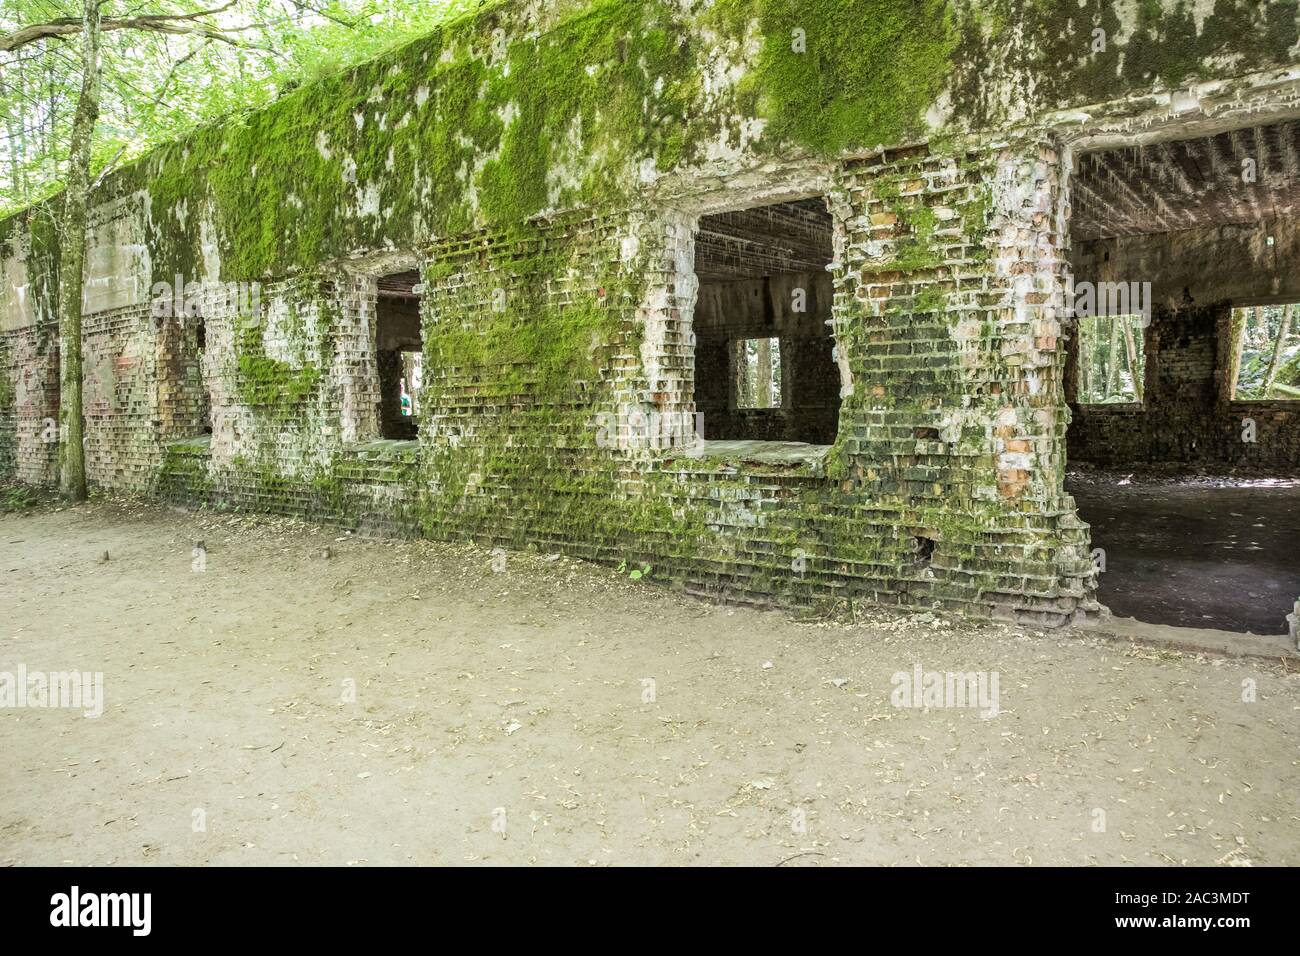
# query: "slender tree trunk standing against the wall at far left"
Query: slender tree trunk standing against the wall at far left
{"points": [[72, 261]]}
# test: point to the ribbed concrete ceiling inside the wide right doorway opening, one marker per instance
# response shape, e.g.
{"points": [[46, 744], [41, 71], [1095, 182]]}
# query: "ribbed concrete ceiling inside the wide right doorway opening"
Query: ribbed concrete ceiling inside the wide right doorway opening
{"points": [[1189, 184]]}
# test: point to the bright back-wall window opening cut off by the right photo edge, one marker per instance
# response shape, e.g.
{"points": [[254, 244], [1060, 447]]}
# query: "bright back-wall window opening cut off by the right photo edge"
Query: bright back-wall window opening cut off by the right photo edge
{"points": [[1268, 353]]}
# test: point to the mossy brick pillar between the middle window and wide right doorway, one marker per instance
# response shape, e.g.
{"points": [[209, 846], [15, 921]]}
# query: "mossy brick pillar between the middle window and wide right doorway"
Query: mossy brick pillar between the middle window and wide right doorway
{"points": [[950, 293]]}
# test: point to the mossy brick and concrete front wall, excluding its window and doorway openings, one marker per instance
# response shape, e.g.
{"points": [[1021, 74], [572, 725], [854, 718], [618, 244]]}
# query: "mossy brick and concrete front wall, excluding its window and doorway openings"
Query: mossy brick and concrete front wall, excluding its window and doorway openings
{"points": [[539, 163]]}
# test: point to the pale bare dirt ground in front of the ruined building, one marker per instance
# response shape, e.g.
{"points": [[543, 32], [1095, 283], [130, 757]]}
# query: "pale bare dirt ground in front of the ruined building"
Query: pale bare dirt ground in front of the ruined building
{"points": [[504, 719]]}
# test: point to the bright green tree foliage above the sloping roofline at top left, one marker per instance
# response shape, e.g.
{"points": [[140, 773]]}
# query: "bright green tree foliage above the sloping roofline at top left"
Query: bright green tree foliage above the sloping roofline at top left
{"points": [[159, 86]]}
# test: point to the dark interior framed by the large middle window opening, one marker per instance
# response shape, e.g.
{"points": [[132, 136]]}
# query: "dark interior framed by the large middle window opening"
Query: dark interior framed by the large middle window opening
{"points": [[765, 369]]}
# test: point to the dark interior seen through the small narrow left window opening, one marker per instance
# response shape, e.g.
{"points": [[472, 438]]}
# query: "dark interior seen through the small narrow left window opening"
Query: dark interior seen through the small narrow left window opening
{"points": [[398, 347]]}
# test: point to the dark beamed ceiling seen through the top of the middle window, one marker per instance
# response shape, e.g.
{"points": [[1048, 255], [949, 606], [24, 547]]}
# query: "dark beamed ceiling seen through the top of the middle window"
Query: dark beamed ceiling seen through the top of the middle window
{"points": [[765, 241]]}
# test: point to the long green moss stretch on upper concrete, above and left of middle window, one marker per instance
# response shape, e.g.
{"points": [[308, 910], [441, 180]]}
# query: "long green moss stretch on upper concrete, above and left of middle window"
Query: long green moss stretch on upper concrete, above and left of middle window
{"points": [[454, 131]]}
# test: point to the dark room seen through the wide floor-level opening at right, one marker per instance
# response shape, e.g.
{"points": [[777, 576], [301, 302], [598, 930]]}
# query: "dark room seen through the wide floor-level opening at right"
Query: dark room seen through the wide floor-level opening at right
{"points": [[1185, 436]]}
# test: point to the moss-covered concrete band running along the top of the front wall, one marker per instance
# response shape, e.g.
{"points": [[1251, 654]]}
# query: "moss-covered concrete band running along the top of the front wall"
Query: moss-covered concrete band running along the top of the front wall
{"points": [[535, 107]]}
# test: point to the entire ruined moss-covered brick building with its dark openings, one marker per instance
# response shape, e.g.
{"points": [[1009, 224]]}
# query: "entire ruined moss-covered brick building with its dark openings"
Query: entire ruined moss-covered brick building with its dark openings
{"points": [[495, 285]]}
